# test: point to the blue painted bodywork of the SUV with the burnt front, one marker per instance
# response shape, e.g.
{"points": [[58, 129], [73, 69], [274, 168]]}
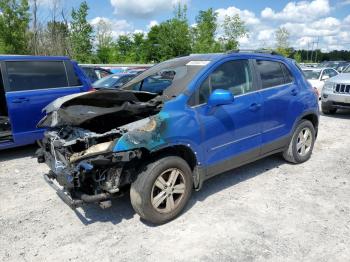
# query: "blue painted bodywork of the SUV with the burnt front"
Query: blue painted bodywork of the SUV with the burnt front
{"points": [[219, 132]]}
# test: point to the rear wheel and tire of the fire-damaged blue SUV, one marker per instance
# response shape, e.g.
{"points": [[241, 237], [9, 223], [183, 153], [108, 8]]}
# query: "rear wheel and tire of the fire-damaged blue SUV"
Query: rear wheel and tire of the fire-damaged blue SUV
{"points": [[300, 150]]}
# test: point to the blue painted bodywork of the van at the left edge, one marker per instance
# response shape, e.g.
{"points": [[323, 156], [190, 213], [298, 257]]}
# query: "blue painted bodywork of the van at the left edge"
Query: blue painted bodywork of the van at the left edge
{"points": [[25, 107]]}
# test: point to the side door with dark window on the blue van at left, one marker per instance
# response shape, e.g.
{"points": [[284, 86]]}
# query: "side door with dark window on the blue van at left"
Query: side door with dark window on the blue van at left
{"points": [[30, 86]]}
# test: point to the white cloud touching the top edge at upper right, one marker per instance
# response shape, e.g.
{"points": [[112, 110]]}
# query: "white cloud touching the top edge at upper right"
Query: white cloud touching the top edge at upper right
{"points": [[299, 11]]}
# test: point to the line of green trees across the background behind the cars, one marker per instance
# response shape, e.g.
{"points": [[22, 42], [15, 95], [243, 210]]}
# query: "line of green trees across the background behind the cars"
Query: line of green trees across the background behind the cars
{"points": [[22, 32]]}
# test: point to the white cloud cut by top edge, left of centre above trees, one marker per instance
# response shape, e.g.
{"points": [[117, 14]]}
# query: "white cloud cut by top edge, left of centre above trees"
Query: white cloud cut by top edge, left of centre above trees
{"points": [[145, 8]]}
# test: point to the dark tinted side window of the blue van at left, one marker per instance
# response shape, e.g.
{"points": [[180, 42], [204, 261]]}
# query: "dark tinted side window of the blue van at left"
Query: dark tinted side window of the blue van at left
{"points": [[33, 75]]}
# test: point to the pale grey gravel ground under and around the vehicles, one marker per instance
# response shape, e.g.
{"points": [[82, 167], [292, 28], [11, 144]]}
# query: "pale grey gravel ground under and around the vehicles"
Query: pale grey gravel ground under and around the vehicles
{"points": [[268, 210]]}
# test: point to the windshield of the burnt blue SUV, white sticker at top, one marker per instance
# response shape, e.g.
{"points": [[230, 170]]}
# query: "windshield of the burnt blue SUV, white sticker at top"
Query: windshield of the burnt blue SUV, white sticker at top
{"points": [[169, 78]]}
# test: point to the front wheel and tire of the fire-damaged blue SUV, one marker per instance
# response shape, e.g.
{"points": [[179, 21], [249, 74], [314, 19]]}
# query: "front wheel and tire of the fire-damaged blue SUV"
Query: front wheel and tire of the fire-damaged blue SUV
{"points": [[153, 195]]}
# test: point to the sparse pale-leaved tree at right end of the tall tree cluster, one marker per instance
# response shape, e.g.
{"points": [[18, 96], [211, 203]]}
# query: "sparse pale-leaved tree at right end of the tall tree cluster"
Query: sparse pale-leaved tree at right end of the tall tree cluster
{"points": [[234, 28]]}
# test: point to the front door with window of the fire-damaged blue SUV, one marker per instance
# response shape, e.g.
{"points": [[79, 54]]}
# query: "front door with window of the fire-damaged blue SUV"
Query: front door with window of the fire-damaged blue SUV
{"points": [[231, 134]]}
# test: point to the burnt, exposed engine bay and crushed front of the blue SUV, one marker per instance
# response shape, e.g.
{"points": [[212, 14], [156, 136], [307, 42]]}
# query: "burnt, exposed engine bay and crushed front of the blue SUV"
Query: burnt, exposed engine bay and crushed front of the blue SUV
{"points": [[83, 130]]}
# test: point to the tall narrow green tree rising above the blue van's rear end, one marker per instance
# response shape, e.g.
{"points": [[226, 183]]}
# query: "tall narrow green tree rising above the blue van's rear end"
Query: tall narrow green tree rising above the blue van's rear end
{"points": [[81, 34]]}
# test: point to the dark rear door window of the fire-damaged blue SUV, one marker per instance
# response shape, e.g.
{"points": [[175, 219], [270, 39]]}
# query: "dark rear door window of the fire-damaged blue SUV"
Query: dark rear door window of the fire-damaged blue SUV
{"points": [[273, 73]]}
